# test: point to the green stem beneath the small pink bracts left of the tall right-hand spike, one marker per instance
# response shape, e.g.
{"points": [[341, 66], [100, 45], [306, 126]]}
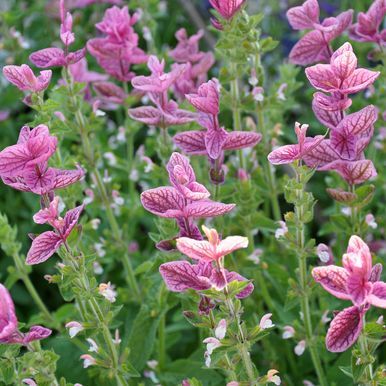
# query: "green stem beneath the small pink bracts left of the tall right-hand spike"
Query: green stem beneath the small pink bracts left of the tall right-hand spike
{"points": [[305, 301]]}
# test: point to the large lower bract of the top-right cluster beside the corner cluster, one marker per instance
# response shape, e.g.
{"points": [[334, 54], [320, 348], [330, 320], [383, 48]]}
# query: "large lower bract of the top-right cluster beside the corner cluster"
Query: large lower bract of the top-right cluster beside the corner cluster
{"points": [[311, 48]]}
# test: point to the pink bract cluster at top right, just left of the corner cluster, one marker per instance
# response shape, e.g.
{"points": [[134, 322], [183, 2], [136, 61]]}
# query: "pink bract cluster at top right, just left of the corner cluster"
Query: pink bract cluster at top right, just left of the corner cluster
{"points": [[314, 46]]}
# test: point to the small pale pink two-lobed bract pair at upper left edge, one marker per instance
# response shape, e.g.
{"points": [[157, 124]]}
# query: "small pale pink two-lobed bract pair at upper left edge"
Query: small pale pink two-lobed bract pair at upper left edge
{"points": [[25, 80]]}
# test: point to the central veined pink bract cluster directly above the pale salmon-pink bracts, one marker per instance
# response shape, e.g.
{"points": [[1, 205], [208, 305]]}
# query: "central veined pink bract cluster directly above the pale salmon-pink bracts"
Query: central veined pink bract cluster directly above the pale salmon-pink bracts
{"points": [[185, 201]]}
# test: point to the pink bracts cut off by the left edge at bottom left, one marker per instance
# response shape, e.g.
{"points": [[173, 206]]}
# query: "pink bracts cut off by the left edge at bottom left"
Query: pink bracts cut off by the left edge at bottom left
{"points": [[9, 334]]}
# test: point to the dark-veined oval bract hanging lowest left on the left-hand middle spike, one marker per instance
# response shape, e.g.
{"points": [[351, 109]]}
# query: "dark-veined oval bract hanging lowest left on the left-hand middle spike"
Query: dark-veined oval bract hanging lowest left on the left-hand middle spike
{"points": [[43, 247]]}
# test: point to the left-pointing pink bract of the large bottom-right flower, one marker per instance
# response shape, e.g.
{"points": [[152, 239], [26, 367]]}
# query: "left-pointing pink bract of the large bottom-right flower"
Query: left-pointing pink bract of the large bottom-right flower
{"points": [[333, 279]]}
